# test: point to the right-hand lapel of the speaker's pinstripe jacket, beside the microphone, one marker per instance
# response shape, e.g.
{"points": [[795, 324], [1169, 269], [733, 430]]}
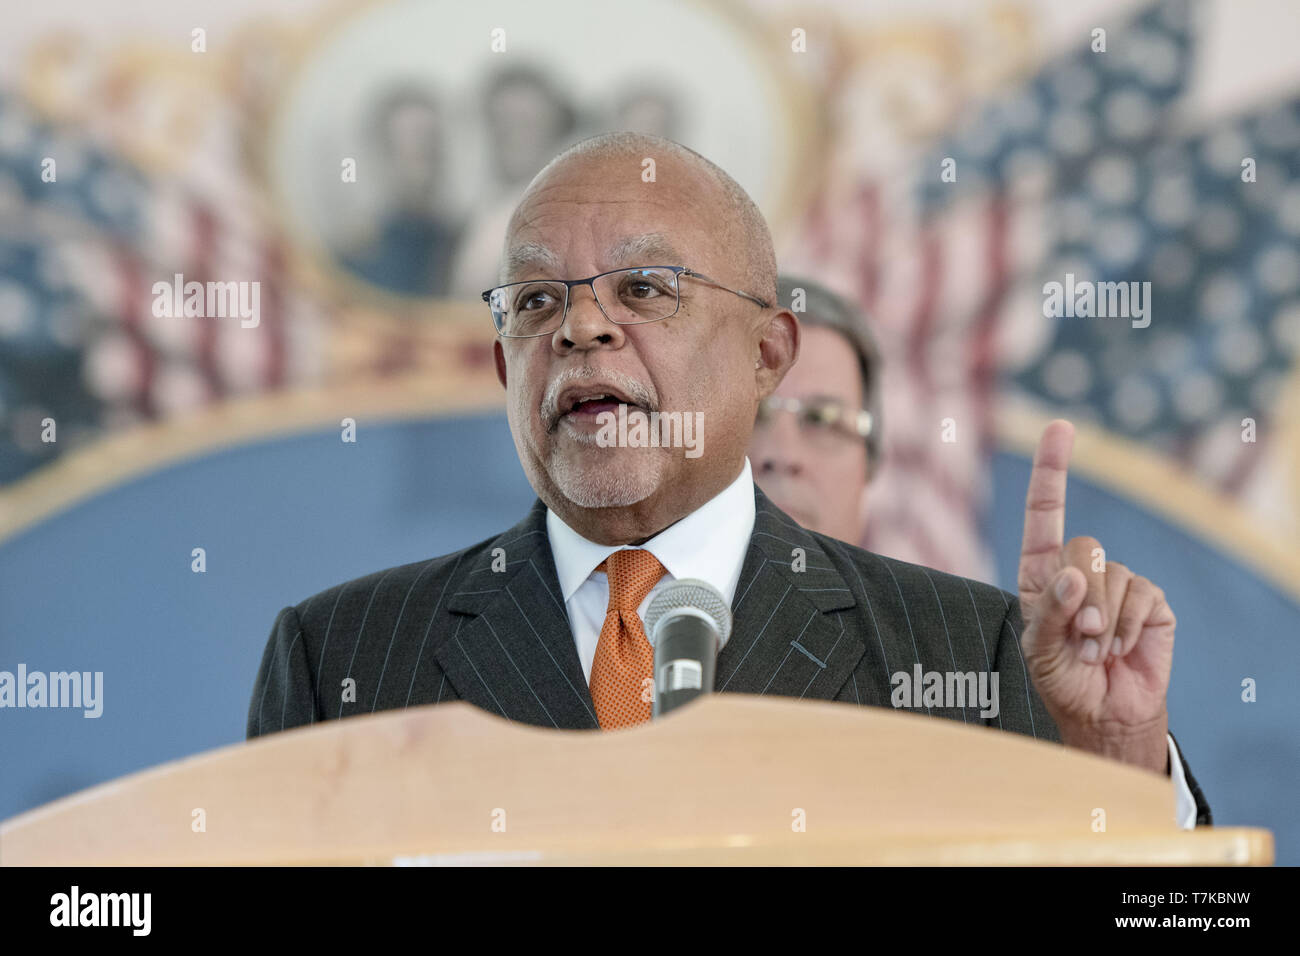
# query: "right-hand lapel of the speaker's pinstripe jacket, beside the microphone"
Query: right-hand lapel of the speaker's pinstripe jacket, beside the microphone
{"points": [[787, 638]]}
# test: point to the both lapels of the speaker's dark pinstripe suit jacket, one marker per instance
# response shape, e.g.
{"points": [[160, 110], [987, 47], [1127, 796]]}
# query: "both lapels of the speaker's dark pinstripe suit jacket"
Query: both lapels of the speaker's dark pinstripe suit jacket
{"points": [[512, 646]]}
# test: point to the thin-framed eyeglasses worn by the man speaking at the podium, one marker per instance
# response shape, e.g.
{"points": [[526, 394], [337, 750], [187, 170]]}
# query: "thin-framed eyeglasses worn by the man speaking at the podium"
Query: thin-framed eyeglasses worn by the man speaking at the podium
{"points": [[627, 297]]}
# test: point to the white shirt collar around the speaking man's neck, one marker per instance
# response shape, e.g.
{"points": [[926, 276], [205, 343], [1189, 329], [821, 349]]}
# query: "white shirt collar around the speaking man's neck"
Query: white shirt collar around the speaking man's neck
{"points": [[709, 544]]}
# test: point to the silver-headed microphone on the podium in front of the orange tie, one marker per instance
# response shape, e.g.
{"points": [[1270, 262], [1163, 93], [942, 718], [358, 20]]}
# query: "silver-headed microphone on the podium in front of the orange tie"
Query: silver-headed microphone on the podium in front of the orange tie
{"points": [[688, 625]]}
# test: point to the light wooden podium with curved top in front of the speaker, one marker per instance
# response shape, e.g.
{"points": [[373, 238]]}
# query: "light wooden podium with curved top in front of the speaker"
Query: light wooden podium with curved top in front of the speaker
{"points": [[730, 780]]}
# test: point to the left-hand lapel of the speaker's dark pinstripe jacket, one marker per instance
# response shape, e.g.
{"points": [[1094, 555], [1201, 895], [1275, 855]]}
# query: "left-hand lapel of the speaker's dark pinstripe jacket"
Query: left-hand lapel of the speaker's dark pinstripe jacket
{"points": [[512, 647]]}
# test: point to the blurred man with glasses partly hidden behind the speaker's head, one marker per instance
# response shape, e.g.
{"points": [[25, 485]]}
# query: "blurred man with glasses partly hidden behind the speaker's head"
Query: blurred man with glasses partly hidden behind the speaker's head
{"points": [[817, 440]]}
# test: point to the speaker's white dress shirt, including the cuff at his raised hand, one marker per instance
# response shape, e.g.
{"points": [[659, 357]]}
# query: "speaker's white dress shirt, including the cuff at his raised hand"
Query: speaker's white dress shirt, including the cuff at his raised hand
{"points": [[709, 544]]}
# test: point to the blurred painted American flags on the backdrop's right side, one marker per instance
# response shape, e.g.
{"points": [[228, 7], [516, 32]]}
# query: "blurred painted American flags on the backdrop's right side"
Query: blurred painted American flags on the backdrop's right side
{"points": [[1086, 168]]}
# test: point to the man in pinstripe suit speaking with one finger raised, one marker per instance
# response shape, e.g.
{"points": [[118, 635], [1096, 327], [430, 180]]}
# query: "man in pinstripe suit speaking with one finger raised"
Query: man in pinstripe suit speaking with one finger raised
{"points": [[639, 283]]}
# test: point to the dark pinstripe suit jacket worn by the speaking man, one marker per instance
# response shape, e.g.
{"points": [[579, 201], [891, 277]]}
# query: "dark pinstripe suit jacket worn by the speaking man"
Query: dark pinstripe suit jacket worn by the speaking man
{"points": [[456, 629]]}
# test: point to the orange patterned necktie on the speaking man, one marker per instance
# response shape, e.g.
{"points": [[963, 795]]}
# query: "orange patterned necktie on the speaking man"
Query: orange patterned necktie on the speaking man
{"points": [[625, 660]]}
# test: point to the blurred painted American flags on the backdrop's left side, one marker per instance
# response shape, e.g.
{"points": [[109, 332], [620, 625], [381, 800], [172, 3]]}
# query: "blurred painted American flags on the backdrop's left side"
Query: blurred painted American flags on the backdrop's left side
{"points": [[79, 261]]}
